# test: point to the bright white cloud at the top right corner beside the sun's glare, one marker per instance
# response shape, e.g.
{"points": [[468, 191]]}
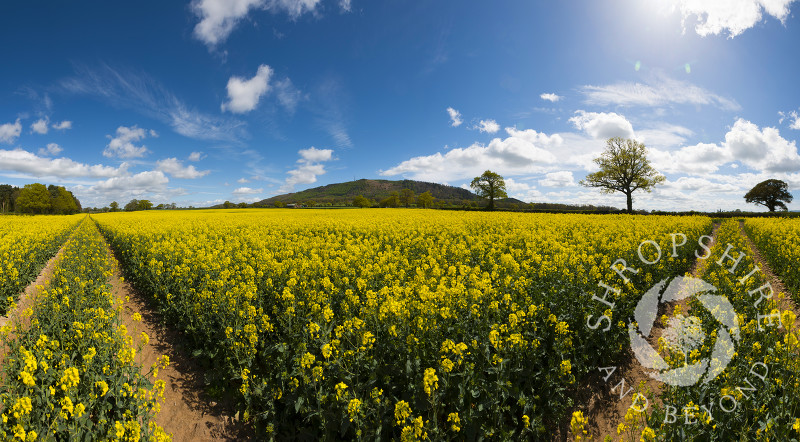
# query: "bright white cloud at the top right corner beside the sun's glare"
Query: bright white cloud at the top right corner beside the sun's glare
{"points": [[717, 16]]}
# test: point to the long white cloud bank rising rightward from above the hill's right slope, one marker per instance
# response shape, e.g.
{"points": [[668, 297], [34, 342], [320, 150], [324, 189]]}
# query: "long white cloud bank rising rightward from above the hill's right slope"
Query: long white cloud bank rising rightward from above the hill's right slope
{"points": [[523, 151]]}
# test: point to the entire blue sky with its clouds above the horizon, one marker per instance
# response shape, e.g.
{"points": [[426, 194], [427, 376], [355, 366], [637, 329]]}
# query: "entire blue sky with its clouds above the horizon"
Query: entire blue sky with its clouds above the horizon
{"points": [[198, 102]]}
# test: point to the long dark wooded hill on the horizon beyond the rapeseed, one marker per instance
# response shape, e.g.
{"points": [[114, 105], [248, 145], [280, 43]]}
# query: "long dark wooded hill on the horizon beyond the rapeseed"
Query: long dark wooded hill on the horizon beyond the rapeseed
{"points": [[341, 193]]}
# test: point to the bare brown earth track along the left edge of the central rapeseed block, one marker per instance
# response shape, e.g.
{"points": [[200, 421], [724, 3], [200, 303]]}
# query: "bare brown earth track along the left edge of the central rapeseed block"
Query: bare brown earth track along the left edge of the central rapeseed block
{"points": [[185, 413]]}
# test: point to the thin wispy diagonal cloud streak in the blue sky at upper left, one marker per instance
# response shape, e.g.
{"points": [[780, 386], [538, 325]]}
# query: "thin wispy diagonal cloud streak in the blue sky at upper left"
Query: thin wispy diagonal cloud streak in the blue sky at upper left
{"points": [[143, 94]]}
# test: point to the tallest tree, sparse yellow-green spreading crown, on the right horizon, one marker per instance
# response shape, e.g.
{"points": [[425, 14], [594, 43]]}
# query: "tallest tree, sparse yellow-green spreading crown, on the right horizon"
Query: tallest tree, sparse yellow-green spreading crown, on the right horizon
{"points": [[624, 168]]}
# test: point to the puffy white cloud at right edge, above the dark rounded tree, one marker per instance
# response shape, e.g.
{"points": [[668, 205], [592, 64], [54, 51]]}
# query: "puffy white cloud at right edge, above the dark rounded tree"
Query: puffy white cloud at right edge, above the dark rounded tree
{"points": [[761, 149]]}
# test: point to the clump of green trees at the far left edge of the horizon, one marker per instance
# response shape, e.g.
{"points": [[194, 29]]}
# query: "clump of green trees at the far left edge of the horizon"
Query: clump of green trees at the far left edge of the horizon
{"points": [[38, 199]]}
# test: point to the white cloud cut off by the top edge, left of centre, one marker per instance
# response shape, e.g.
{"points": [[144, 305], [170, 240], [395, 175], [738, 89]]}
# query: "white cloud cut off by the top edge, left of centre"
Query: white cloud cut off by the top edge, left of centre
{"points": [[219, 17]]}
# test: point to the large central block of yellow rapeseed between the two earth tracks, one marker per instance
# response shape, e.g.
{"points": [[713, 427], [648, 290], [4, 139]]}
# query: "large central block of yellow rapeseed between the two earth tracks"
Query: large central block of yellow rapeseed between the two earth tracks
{"points": [[404, 324]]}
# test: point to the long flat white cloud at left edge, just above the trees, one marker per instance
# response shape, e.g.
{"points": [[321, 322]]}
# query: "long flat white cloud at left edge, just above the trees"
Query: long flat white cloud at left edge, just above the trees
{"points": [[22, 161]]}
